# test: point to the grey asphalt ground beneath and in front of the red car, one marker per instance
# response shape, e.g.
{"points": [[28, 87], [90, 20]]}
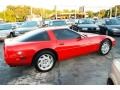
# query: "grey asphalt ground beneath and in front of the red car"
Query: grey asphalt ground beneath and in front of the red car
{"points": [[91, 69]]}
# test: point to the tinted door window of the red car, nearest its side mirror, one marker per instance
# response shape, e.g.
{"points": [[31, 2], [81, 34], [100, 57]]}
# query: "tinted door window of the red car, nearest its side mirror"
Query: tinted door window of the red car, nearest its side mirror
{"points": [[65, 34]]}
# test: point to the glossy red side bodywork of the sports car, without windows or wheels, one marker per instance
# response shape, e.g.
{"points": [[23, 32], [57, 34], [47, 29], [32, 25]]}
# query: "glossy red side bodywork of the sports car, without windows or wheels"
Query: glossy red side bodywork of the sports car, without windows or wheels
{"points": [[22, 53]]}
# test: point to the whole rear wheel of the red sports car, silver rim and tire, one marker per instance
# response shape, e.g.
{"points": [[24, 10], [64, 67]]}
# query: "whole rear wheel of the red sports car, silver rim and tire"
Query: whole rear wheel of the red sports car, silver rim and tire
{"points": [[44, 61]]}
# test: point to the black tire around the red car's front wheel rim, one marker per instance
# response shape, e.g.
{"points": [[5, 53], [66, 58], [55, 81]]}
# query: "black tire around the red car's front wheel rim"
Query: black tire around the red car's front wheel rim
{"points": [[110, 46]]}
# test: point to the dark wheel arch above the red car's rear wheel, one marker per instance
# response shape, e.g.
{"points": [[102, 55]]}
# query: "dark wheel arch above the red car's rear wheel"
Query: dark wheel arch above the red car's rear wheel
{"points": [[46, 49]]}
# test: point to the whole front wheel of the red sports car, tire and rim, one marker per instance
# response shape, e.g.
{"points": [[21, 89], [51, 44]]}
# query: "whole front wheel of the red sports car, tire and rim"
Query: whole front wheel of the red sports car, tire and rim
{"points": [[105, 47]]}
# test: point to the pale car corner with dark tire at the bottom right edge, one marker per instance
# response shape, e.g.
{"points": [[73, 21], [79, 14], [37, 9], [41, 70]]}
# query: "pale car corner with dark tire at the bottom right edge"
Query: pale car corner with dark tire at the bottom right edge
{"points": [[114, 76]]}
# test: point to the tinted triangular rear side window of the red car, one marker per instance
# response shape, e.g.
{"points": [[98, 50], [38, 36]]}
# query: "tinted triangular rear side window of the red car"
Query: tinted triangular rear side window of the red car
{"points": [[38, 37]]}
